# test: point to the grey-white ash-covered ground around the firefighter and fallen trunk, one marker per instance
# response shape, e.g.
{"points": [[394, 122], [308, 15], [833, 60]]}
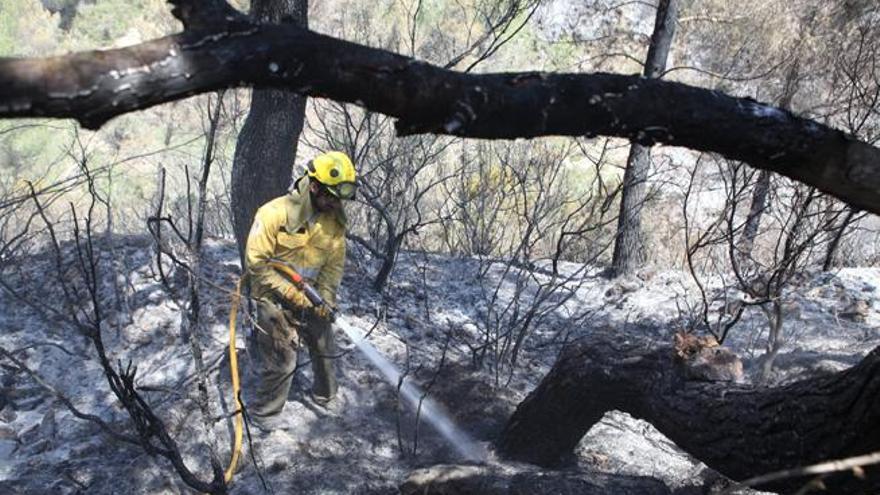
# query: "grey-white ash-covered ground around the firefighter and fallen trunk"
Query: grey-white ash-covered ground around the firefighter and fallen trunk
{"points": [[427, 323]]}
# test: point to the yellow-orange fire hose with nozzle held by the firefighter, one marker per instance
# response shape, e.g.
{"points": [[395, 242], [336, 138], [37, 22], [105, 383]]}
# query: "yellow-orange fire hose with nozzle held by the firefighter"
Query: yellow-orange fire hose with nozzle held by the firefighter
{"points": [[313, 297]]}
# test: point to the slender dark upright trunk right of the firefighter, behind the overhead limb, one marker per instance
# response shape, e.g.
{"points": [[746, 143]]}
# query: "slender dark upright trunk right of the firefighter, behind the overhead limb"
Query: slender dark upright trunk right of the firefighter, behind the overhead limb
{"points": [[629, 248]]}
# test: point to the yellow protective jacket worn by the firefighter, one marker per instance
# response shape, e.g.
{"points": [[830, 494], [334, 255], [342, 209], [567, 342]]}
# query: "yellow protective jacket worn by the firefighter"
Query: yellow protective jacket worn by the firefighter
{"points": [[289, 229]]}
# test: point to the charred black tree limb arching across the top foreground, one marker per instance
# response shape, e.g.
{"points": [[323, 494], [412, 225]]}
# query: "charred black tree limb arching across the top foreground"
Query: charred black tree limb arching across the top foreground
{"points": [[93, 87]]}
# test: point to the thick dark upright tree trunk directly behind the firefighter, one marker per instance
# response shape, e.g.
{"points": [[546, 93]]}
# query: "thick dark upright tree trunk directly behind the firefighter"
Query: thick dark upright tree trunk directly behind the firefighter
{"points": [[266, 146]]}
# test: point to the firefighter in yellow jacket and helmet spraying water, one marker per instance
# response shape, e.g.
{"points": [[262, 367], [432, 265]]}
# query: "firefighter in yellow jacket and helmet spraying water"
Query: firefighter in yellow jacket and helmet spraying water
{"points": [[306, 230]]}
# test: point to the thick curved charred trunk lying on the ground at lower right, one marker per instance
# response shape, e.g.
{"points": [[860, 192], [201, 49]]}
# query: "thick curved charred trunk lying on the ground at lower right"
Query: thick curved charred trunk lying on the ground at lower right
{"points": [[737, 430]]}
